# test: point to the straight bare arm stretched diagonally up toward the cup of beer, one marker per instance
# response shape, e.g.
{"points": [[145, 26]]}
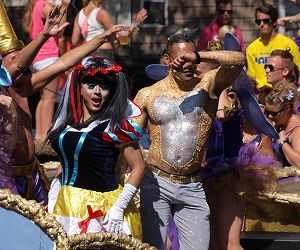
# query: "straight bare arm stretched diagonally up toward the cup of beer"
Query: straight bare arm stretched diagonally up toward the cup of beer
{"points": [[69, 59]]}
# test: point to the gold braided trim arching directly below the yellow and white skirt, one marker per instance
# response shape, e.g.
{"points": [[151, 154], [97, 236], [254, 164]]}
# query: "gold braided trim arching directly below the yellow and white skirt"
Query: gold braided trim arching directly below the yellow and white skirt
{"points": [[111, 240]]}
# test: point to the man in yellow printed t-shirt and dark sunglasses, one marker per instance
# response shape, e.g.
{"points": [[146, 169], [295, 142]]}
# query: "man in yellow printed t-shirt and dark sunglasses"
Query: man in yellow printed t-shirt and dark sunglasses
{"points": [[258, 52]]}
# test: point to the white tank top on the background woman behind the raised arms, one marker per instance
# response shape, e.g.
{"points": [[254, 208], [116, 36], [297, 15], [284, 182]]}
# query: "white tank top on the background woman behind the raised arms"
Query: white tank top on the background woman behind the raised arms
{"points": [[93, 27]]}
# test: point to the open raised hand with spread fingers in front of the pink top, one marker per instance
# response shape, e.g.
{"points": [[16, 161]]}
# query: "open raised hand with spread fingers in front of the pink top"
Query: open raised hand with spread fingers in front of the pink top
{"points": [[53, 22]]}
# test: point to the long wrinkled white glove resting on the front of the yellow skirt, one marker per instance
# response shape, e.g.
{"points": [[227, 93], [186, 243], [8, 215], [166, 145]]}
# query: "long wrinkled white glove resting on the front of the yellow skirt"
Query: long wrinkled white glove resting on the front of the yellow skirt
{"points": [[113, 221]]}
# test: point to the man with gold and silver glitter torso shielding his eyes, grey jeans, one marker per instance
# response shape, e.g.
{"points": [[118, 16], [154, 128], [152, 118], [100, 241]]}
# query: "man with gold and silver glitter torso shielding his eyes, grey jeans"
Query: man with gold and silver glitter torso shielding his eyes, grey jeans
{"points": [[178, 111]]}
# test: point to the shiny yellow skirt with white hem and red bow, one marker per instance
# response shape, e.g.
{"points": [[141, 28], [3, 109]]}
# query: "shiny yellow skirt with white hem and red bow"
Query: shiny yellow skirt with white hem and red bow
{"points": [[82, 211]]}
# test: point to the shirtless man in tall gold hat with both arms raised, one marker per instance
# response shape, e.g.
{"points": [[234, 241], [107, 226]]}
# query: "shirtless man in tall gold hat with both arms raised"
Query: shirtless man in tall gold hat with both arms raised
{"points": [[30, 180]]}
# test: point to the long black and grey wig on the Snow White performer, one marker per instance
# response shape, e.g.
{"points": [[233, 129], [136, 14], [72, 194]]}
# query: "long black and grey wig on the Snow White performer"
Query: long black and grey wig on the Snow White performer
{"points": [[115, 107]]}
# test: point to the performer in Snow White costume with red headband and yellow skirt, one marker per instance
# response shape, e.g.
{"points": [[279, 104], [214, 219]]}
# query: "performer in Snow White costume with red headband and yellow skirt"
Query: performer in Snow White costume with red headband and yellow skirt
{"points": [[91, 127]]}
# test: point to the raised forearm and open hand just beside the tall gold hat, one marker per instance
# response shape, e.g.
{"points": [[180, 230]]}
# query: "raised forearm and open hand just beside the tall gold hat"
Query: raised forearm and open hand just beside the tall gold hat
{"points": [[25, 57]]}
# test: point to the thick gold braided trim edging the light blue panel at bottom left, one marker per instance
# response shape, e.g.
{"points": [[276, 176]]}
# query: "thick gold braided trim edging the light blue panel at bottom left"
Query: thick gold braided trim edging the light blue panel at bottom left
{"points": [[36, 213]]}
